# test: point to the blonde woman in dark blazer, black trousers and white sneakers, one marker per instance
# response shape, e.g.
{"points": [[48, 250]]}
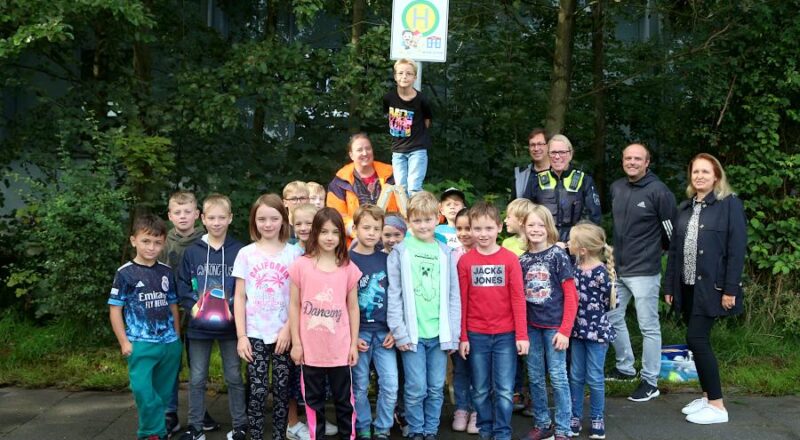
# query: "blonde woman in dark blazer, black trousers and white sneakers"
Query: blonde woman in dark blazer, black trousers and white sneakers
{"points": [[704, 273]]}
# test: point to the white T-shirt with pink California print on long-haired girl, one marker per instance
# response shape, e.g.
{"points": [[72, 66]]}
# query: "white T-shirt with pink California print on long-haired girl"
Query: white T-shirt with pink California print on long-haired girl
{"points": [[266, 286]]}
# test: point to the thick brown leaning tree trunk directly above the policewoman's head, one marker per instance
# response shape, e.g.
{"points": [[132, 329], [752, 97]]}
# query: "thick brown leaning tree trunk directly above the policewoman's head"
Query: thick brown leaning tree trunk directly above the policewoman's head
{"points": [[562, 68]]}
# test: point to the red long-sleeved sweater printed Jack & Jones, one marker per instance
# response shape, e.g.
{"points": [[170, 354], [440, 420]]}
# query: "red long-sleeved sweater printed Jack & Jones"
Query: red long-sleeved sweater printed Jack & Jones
{"points": [[492, 300]]}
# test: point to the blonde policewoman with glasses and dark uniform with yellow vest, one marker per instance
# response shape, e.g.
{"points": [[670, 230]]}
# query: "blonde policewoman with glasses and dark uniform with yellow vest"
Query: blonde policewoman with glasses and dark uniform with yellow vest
{"points": [[568, 193]]}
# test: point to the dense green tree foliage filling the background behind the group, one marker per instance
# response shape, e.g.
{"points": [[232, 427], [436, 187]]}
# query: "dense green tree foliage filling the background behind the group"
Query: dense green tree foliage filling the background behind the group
{"points": [[269, 93]]}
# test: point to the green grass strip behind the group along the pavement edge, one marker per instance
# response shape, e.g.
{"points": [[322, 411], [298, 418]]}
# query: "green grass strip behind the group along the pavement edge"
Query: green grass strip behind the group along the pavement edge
{"points": [[60, 355]]}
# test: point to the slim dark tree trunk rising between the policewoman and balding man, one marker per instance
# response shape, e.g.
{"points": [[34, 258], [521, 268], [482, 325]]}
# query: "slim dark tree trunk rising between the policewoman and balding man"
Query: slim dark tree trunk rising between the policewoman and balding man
{"points": [[598, 83]]}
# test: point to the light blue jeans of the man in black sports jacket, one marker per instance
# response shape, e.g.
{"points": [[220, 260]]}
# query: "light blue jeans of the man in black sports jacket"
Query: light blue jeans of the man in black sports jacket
{"points": [[644, 290]]}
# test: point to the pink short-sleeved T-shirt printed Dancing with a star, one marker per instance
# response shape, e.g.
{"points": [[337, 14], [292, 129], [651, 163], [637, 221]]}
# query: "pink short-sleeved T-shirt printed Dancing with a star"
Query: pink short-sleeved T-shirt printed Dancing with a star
{"points": [[324, 322]]}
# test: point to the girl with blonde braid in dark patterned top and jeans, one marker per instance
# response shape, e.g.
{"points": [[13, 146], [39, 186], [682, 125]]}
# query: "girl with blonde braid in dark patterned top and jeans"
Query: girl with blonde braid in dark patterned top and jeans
{"points": [[592, 332]]}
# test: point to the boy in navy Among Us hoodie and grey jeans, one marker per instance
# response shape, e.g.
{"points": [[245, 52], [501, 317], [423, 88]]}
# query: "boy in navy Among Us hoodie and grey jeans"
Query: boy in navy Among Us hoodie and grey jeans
{"points": [[206, 290]]}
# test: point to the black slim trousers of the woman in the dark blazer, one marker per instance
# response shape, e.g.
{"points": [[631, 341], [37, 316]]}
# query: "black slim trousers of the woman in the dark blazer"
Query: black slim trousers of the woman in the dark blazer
{"points": [[698, 338]]}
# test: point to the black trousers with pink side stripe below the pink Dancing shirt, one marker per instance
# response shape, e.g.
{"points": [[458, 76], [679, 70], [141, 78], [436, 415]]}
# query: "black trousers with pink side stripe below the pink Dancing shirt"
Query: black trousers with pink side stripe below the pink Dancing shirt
{"points": [[313, 381]]}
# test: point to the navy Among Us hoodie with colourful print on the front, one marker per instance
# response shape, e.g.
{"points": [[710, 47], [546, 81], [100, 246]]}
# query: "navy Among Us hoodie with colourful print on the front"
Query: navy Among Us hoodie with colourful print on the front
{"points": [[206, 287]]}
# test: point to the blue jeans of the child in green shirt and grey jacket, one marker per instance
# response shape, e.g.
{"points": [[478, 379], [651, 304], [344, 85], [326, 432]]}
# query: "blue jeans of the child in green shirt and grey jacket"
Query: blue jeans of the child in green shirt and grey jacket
{"points": [[425, 370]]}
